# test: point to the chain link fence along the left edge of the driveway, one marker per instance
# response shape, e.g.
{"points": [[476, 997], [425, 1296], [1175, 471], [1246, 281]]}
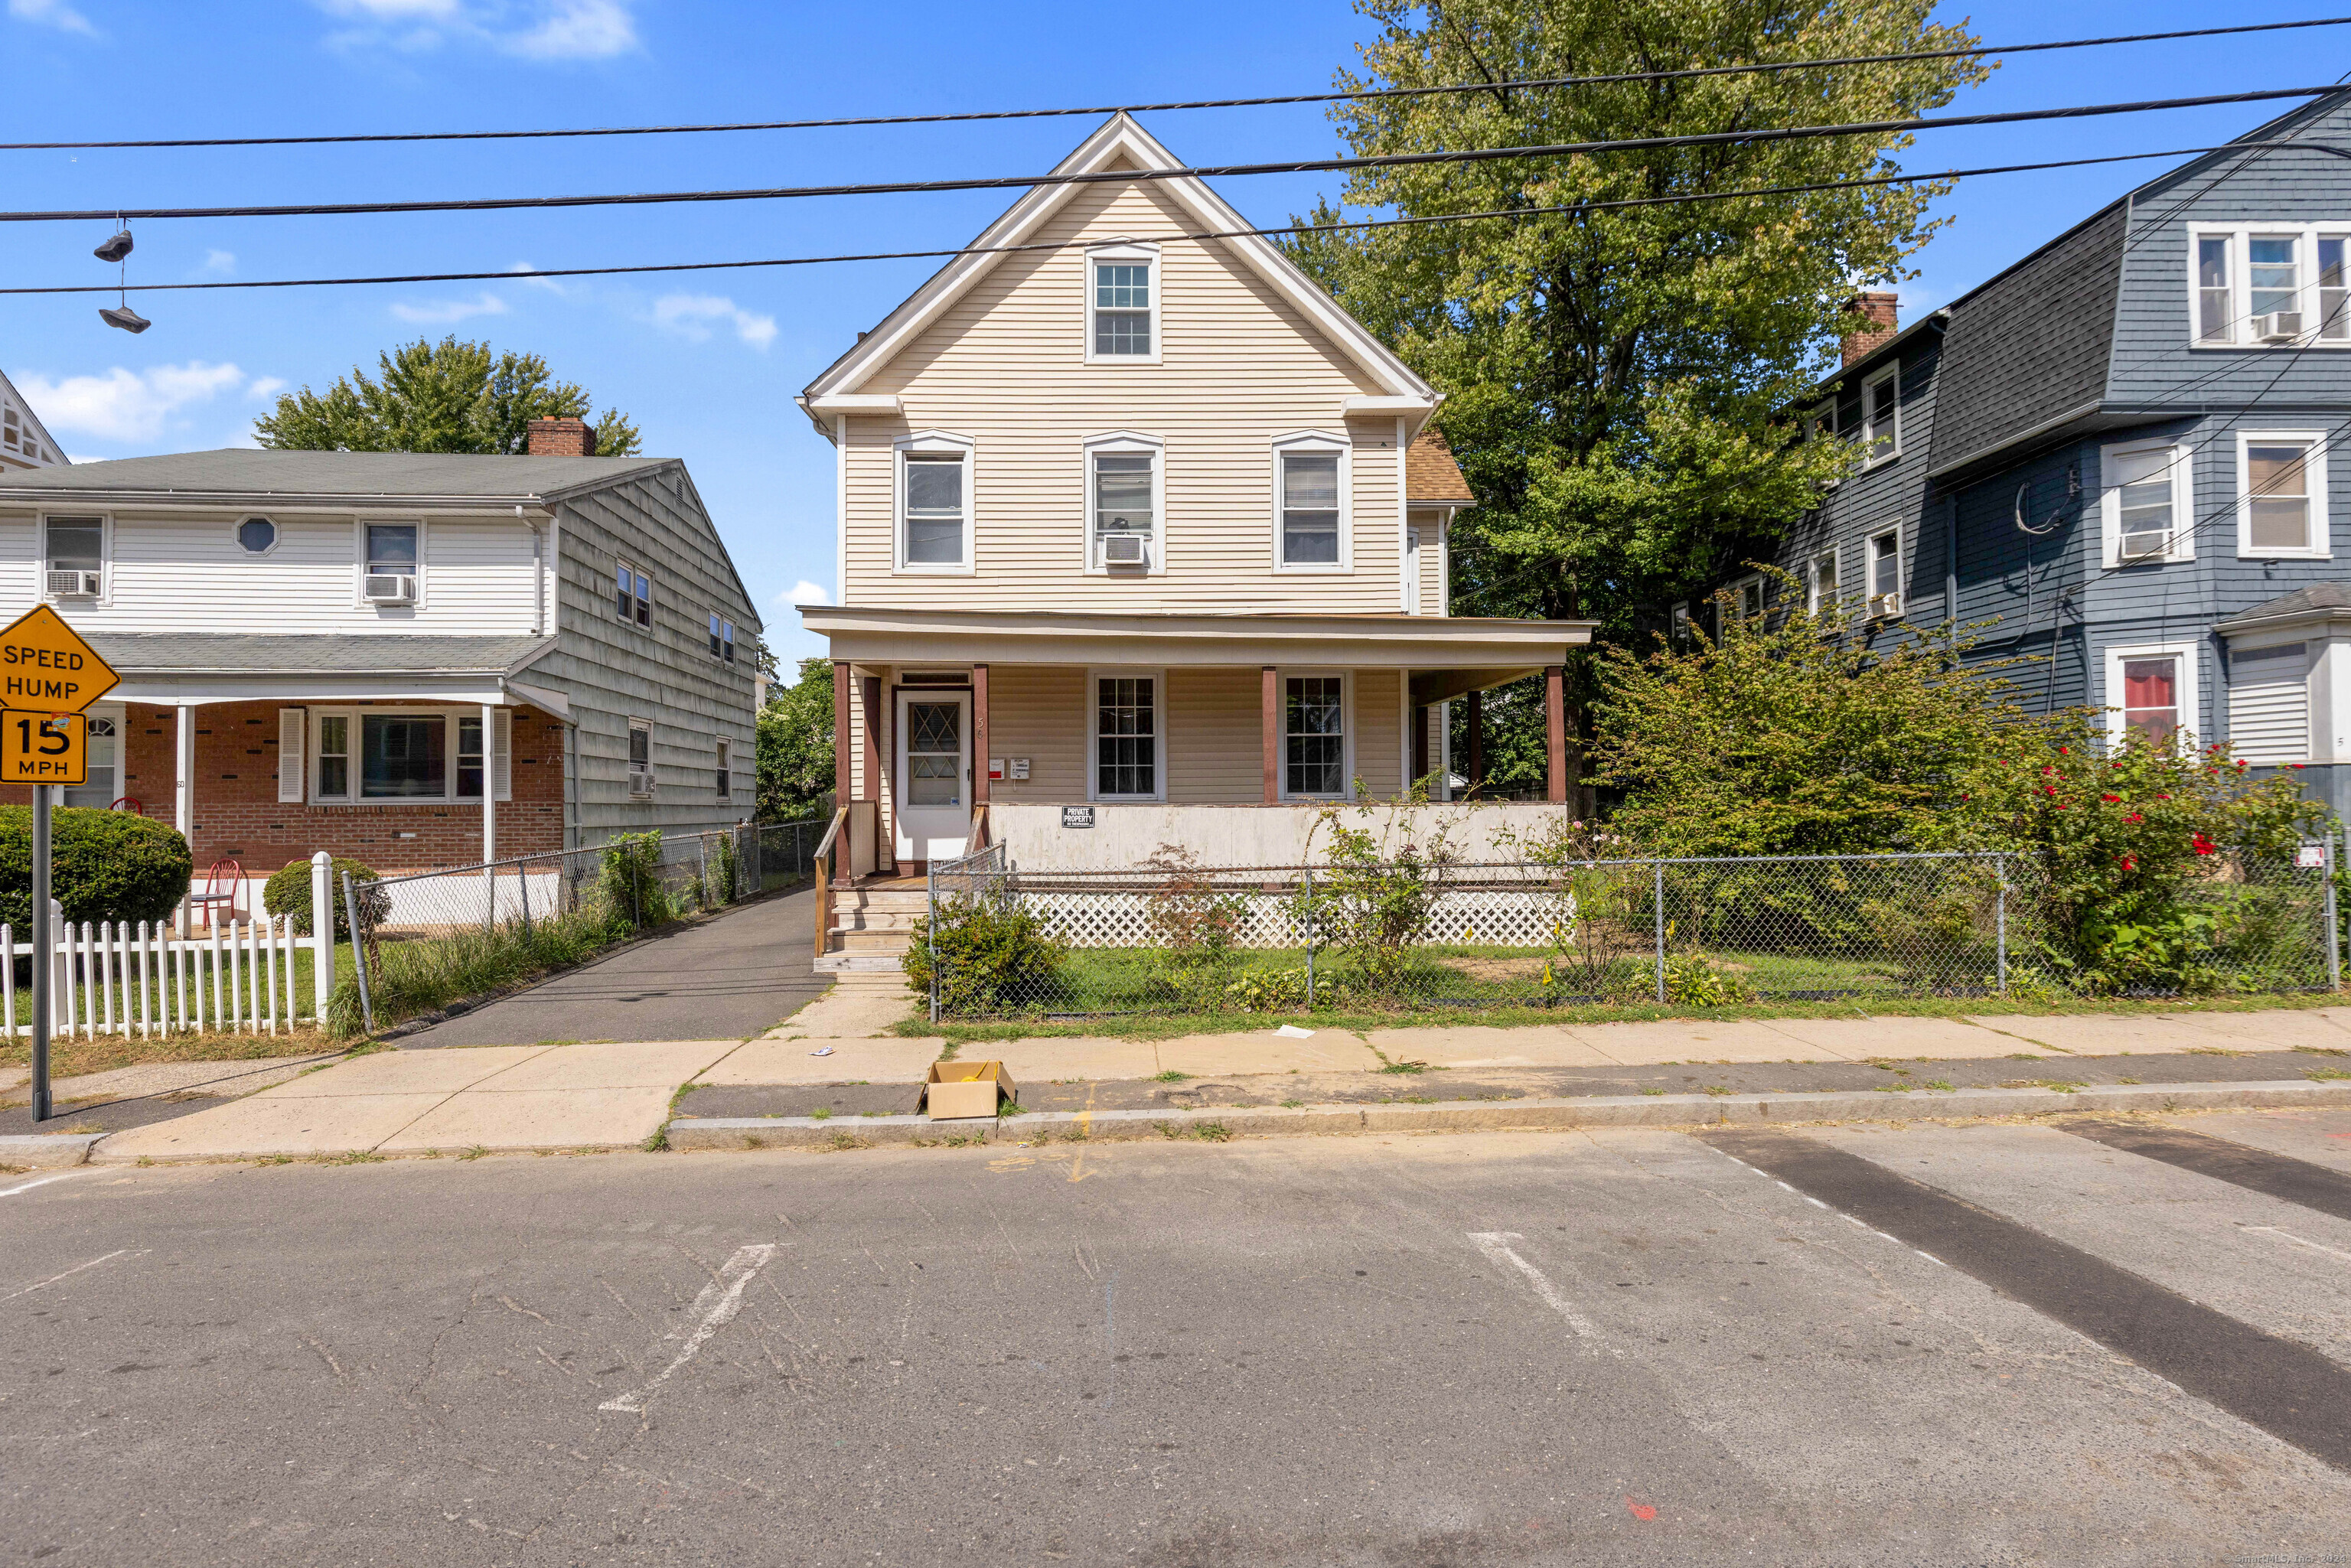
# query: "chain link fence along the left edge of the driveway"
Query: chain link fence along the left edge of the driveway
{"points": [[460, 932]]}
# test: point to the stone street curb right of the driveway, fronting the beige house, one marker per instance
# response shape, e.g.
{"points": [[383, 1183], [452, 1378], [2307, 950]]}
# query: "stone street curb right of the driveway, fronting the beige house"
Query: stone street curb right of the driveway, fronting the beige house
{"points": [[1494, 1115]]}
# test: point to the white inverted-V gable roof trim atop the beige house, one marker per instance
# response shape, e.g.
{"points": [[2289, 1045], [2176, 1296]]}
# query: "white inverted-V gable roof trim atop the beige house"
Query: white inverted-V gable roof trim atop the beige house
{"points": [[1113, 142]]}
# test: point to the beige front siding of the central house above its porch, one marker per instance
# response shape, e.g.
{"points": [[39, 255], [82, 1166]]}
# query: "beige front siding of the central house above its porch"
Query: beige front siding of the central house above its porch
{"points": [[1240, 368]]}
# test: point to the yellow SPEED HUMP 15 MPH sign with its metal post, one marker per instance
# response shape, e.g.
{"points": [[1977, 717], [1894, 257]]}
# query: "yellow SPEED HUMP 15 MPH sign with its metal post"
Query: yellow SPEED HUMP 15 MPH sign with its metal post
{"points": [[48, 678]]}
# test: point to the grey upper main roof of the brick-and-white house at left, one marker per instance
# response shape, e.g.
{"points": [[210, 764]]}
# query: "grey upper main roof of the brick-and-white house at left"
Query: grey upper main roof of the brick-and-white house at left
{"points": [[236, 474]]}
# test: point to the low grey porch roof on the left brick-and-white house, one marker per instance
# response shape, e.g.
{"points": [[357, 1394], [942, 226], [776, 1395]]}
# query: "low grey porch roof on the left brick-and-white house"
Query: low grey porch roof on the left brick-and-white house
{"points": [[323, 666]]}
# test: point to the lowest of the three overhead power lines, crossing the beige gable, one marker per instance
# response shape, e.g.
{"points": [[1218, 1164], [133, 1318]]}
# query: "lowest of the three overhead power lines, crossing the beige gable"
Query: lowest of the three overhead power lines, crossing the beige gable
{"points": [[1219, 234]]}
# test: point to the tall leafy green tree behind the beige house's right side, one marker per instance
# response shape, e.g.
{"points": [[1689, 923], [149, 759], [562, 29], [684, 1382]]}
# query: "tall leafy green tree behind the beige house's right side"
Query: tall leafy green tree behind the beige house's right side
{"points": [[1616, 375]]}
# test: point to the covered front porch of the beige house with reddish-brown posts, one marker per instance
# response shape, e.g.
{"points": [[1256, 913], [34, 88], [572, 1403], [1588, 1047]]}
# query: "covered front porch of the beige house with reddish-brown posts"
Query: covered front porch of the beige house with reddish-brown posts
{"points": [[1083, 739]]}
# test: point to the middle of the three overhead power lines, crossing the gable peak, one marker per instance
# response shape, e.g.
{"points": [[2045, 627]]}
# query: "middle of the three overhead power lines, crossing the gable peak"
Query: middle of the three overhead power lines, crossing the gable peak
{"points": [[1308, 166]]}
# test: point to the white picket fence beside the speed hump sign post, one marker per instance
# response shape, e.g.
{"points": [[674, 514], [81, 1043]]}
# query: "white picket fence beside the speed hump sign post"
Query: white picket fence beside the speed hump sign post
{"points": [[121, 979]]}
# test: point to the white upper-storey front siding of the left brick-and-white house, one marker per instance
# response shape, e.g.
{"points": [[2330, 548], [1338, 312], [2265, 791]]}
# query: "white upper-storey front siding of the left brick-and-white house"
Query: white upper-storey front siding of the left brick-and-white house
{"points": [[180, 572]]}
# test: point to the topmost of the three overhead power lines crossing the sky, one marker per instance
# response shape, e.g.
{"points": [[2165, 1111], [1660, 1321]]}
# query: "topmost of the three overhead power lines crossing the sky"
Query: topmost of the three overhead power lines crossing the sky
{"points": [[1139, 109]]}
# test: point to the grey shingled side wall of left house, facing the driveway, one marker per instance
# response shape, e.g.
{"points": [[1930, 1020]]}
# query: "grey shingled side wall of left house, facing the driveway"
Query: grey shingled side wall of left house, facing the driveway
{"points": [[617, 671]]}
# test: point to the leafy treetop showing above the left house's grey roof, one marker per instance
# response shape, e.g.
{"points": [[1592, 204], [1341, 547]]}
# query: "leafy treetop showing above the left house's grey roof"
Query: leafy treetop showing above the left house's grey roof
{"points": [[443, 396]]}
